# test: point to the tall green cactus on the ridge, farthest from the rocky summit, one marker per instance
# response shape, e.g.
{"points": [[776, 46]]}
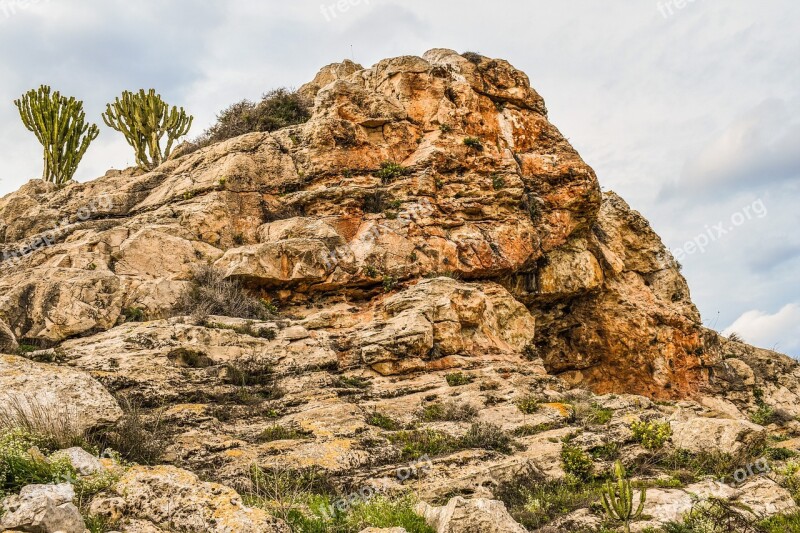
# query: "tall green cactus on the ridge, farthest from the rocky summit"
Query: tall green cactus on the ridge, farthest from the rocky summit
{"points": [[60, 125]]}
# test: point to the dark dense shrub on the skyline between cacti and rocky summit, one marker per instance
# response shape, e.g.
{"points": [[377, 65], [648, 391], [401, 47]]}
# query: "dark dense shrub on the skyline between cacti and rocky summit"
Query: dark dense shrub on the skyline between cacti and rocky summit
{"points": [[277, 109]]}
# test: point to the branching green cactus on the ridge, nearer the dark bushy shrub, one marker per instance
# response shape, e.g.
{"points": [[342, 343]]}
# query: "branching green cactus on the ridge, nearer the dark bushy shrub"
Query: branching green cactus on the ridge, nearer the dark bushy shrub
{"points": [[144, 118]]}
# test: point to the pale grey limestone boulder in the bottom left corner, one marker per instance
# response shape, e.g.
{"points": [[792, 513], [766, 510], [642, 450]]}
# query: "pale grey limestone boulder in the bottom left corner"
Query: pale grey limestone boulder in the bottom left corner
{"points": [[42, 509]]}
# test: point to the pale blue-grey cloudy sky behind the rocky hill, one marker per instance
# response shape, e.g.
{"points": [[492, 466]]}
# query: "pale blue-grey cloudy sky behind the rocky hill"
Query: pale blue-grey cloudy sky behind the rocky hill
{"points": [[691, 113]]}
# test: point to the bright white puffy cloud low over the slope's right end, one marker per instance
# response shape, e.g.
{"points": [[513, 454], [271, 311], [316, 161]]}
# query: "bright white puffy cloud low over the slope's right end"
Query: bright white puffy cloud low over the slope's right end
{"points": [[779, 331]]}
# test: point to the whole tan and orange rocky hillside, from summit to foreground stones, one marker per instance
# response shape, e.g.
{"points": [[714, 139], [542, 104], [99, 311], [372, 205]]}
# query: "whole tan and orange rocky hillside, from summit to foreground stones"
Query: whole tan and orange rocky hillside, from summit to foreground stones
{"points": [[437, 254]]}
